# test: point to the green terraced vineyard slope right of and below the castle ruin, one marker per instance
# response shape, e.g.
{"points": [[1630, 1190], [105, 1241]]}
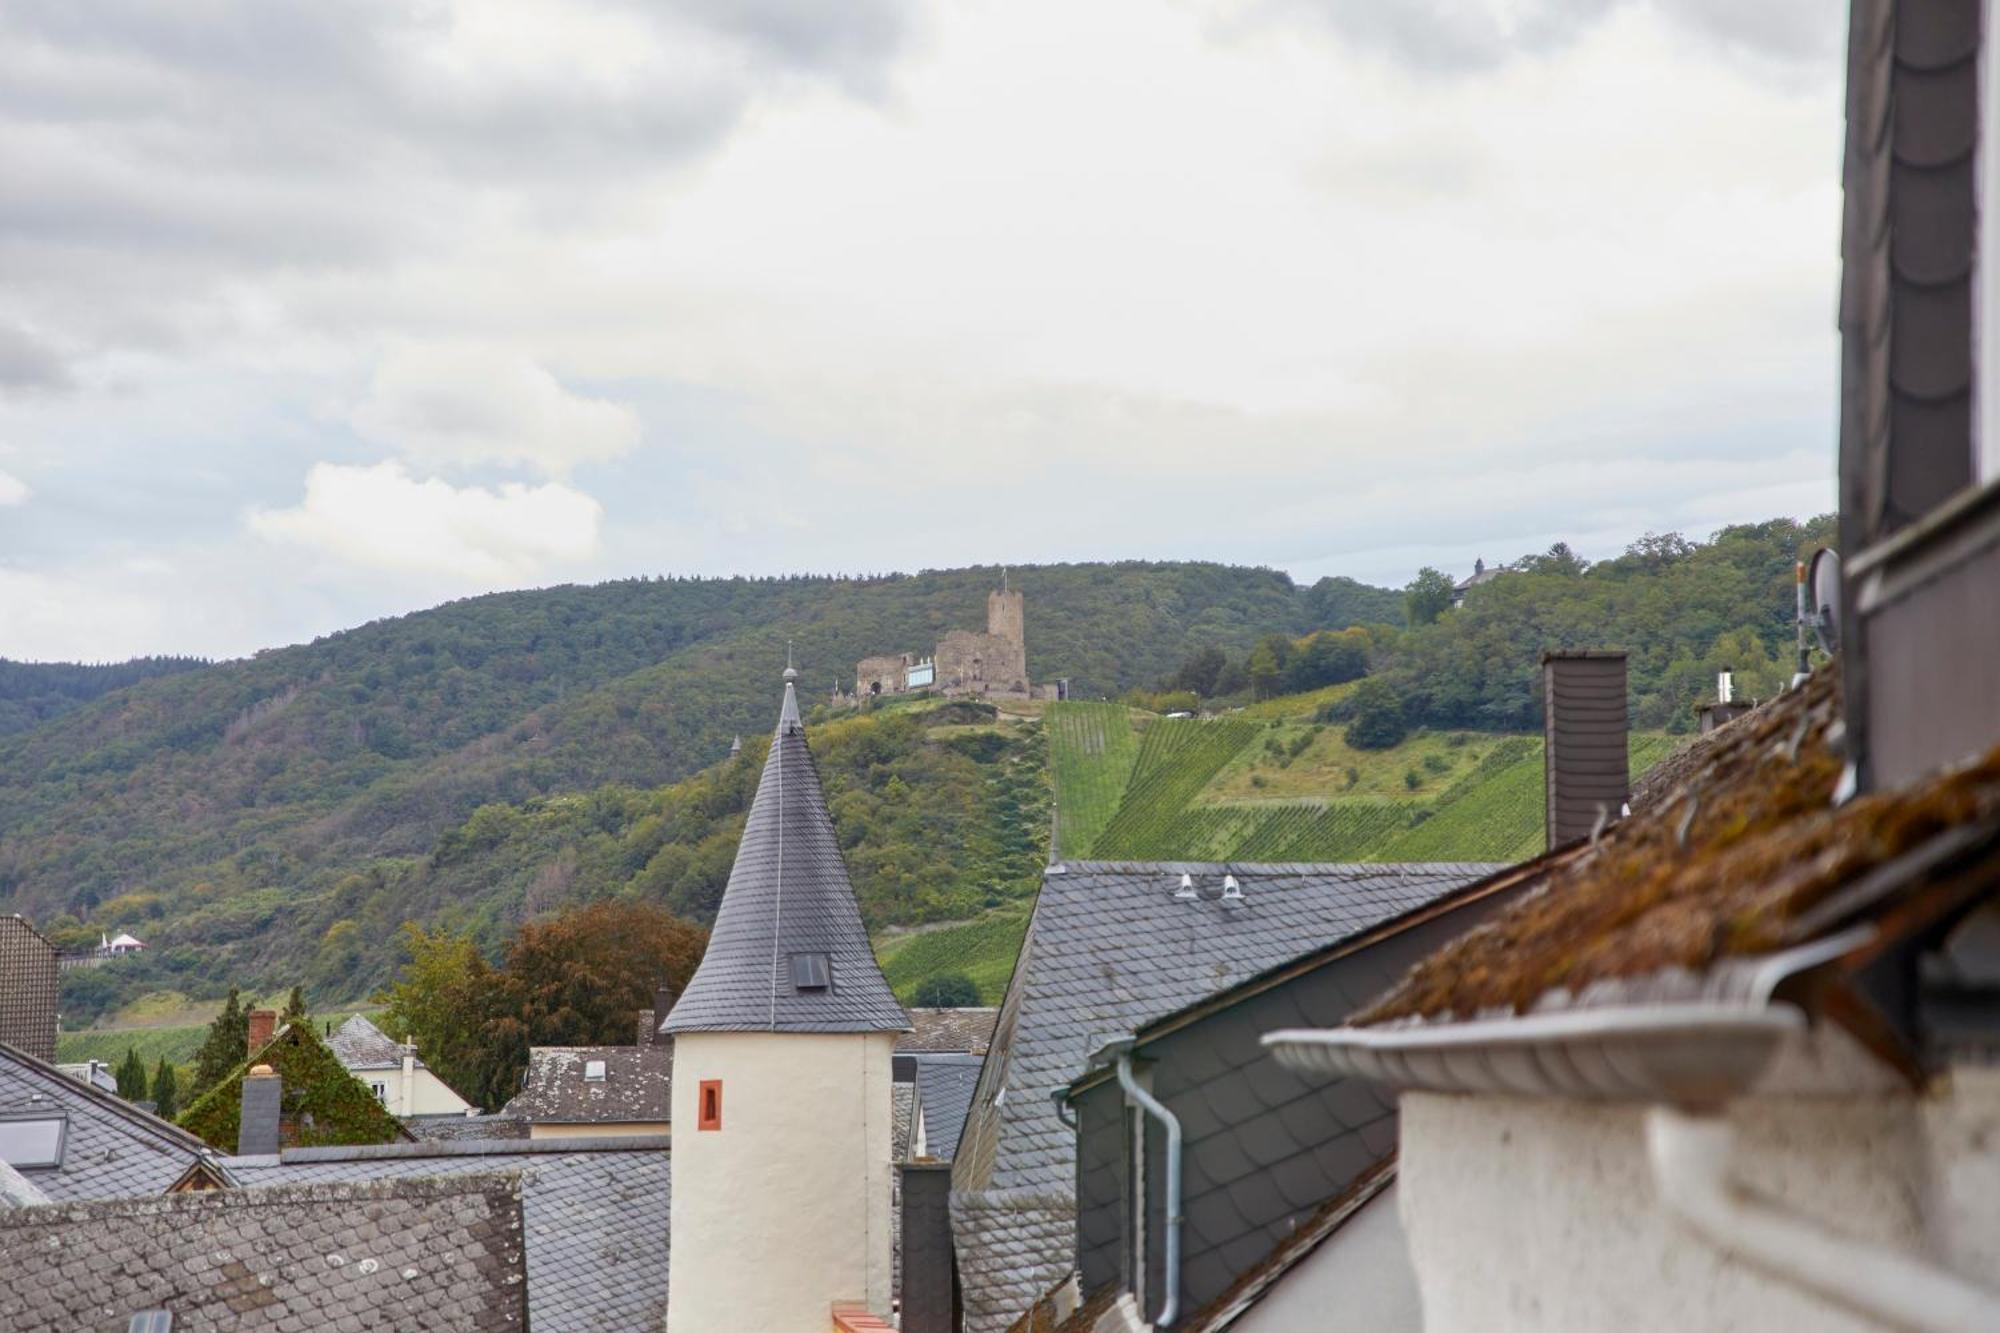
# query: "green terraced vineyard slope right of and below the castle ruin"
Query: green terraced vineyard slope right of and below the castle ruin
{"points": [[1283, 788]]}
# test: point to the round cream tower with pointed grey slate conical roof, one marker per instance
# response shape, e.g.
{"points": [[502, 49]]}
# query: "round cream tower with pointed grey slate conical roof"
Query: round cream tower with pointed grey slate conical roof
{"points": [[783, 1080]]}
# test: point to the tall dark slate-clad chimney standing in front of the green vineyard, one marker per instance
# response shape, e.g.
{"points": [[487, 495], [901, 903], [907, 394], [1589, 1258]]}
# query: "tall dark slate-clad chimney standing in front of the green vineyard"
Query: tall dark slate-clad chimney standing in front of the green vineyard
{"points": [[1585, 724]]}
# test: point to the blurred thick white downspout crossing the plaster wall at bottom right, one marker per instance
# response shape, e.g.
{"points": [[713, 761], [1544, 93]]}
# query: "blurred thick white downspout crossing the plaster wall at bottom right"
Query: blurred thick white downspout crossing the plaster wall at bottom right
{"points": [[1691, 1168]]}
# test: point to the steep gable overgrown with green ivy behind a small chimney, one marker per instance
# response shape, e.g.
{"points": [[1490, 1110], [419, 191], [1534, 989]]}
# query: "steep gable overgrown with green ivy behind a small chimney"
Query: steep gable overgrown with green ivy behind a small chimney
{"points": [[323, 1102]]}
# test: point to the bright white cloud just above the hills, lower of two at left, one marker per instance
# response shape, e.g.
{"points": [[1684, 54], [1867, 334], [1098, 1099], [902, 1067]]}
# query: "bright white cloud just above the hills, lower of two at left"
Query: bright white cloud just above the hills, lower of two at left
{"points": [[381, 517]]}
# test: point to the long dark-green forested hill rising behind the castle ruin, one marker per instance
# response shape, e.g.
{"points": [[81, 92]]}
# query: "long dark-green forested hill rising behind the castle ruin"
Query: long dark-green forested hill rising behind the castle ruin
{"points": [[281, 772]]}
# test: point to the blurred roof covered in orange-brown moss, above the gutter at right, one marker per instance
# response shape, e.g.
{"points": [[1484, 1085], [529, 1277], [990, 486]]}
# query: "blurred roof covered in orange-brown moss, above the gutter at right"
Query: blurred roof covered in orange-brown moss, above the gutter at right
{"points": [[1745, 856]]}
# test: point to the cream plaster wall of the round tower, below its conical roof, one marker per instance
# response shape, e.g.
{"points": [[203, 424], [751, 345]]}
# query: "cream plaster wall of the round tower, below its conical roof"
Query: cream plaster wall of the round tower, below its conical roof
{"points": [[787, 1208]]}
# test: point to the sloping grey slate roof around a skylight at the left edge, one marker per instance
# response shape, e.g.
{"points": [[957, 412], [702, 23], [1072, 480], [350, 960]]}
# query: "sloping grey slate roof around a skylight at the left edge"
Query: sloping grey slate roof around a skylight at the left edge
{"points": [[113, 1148]]}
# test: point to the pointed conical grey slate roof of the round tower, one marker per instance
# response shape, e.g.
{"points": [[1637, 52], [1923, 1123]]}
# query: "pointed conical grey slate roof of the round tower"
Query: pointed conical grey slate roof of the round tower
{"points": [[789, 896]]}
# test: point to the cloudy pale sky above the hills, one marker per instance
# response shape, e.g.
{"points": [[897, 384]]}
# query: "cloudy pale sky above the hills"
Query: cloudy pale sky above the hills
{"points": [[317, 313]]}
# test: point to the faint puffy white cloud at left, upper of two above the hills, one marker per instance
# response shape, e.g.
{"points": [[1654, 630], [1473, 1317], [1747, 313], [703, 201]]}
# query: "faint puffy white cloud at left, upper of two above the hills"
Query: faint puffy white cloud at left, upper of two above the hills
{"points": [[465, 405]]}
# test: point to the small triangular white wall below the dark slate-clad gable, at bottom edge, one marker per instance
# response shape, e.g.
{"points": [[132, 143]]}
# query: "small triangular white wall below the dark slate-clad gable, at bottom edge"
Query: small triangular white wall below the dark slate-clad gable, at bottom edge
{"points": [[1359, 1278]]}
